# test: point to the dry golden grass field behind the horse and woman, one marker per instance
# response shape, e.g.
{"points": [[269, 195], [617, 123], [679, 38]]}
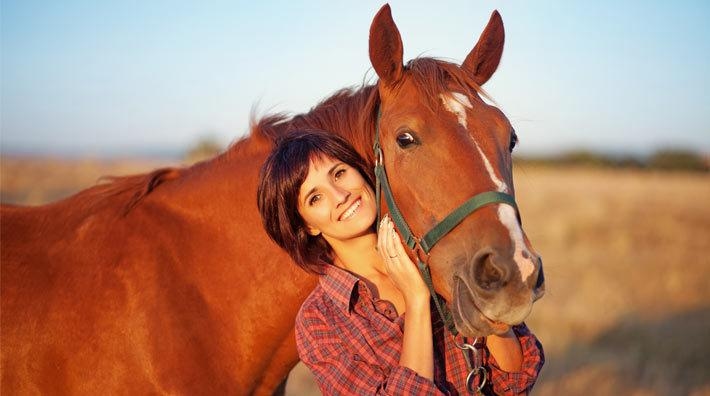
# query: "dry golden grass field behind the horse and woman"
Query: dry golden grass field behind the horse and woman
{"points": [[627, 262]]}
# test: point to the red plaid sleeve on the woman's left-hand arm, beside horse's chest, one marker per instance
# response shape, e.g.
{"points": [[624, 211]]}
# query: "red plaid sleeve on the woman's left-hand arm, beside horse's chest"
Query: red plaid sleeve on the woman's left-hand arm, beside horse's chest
{"points": [[339, 371]]}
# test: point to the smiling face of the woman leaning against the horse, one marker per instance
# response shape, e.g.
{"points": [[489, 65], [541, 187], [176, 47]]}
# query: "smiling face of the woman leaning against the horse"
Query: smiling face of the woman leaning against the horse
{"points": [[336, 201]]}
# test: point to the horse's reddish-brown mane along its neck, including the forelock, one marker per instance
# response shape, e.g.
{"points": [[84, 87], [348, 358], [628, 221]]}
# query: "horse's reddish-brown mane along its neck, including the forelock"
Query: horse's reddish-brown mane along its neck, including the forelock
{"points": [[350, 112]]}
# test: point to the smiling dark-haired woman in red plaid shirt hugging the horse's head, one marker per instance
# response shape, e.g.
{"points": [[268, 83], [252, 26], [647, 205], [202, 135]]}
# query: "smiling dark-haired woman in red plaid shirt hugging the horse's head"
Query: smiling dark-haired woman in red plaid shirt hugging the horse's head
{"points": [[368, 328]]}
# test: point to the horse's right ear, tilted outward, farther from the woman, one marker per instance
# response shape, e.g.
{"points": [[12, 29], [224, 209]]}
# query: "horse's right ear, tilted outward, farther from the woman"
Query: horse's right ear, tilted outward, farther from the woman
{"points": [[484, 58]]}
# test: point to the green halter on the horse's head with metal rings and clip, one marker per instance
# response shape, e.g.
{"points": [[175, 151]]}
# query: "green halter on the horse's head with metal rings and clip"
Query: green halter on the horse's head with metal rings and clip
{"points": [[424, 244]]}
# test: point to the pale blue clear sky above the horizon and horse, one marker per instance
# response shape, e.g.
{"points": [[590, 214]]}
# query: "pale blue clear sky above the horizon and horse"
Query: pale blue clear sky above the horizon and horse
{"points": [[87, 77]]}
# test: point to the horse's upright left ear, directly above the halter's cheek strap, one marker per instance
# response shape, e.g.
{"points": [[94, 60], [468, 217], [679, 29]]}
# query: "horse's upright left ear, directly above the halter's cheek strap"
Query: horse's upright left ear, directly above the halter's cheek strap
{"points": [[386, 47]]}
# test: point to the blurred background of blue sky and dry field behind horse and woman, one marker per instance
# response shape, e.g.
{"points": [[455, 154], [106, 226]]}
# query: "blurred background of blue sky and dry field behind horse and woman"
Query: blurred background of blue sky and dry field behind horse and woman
{"points": [[610, 101]]}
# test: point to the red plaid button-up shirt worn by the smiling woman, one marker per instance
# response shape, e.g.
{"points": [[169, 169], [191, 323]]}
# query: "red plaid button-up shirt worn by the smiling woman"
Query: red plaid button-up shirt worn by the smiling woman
{"points": [[352, 343]]}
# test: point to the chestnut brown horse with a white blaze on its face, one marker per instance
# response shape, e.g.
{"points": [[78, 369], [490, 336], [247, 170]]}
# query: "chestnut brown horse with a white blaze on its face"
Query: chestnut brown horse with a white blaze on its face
{"points": [[166, 282]]}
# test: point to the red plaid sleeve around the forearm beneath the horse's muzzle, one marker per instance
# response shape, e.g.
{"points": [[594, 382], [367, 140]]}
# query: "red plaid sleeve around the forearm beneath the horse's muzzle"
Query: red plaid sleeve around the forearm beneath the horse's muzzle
{"points": [[521, 382]]}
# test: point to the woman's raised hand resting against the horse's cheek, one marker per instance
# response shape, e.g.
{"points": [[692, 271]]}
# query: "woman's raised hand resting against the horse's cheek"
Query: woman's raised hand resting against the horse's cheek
{"points": [[400, 268]]}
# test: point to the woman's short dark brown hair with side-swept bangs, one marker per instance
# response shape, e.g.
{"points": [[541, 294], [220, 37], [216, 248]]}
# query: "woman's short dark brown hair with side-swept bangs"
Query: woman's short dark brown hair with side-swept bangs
{"points": [[280, 181]]}
